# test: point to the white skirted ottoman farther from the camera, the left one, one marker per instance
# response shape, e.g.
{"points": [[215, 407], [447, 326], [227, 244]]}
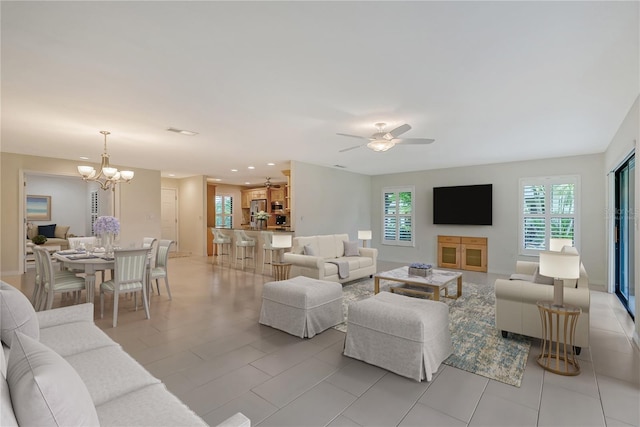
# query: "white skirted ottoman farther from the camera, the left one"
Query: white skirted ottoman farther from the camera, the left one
{"points": [[301, 306]]}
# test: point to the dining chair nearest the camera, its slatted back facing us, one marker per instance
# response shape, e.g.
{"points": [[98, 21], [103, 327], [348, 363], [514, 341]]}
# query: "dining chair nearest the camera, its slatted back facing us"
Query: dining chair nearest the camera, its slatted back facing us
{"points": [[129, 276]]}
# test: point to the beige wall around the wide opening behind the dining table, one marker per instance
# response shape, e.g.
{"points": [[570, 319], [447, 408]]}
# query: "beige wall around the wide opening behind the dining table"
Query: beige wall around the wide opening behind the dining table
{"points": [[138, 203]]}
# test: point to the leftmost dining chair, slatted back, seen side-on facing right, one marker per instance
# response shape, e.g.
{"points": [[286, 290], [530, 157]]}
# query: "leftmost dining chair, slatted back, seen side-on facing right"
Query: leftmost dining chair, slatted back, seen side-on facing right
{"points": [[53, 282]]}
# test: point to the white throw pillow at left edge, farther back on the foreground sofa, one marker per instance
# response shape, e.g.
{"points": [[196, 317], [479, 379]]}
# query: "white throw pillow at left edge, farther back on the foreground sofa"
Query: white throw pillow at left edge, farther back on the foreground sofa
{"points": [[16, 313]]}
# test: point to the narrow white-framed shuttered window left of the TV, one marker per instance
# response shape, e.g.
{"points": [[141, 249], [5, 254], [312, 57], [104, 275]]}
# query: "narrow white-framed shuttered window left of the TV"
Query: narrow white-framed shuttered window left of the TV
{"points": [[397, 205]]}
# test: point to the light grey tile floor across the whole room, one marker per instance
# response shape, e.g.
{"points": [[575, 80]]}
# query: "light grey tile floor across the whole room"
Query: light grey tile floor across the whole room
{"points": [[208, 348]]}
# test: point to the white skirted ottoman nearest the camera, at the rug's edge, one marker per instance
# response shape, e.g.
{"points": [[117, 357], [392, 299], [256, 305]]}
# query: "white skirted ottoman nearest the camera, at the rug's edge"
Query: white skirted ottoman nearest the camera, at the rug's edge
{"points": [[407, 336]]}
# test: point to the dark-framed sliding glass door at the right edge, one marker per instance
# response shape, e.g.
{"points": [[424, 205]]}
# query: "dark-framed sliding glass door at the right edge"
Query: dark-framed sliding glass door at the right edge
{"points": [[625, 234]]}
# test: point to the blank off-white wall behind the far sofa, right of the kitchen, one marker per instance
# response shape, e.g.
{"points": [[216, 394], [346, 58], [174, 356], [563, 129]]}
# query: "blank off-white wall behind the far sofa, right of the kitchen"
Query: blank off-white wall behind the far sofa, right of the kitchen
{"points": [[329, 200]]}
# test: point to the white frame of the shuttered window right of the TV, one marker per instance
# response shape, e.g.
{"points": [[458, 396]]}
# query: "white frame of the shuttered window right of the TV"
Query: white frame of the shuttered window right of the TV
{"points": [[548, 180]]}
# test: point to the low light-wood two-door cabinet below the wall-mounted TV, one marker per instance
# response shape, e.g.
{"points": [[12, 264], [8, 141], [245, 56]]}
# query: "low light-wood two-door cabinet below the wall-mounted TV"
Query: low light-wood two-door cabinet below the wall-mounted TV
{"points": [[467, 253]]}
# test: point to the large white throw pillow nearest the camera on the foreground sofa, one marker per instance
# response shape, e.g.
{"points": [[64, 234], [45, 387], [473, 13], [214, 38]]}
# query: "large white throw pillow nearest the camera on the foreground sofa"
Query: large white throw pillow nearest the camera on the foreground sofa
{"points": [[45, 389]]}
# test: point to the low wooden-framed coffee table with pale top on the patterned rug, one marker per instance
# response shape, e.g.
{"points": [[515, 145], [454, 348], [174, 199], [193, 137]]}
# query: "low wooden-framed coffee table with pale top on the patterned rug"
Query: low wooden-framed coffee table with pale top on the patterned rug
{"points": [[431, 284]]}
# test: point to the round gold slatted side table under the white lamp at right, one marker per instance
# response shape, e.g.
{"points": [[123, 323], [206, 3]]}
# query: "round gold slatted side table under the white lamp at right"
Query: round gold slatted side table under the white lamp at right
{"points": [[558, 333]]}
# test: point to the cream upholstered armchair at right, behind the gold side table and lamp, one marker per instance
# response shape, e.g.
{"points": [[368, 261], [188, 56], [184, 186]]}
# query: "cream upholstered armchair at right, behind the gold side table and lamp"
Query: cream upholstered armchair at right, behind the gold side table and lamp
{"points": [[516, 309]]}
